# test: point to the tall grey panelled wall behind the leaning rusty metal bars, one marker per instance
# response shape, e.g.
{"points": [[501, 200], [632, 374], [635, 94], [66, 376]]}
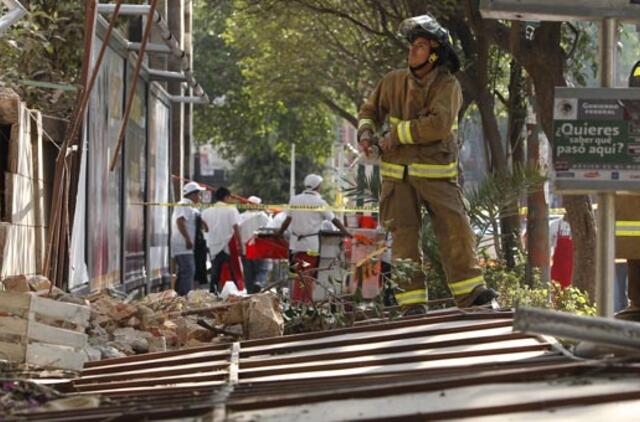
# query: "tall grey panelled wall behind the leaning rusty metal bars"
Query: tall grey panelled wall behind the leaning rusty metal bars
{"points": [[127, 243]]}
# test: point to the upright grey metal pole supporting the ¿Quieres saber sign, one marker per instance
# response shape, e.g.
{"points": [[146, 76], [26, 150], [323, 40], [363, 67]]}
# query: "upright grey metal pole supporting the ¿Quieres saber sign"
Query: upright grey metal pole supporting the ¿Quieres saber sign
{"points": [[605, 235]]}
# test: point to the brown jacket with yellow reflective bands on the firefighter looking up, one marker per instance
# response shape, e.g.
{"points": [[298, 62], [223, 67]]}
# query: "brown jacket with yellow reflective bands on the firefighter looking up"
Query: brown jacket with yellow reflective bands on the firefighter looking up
{"points": [[420, 114]]}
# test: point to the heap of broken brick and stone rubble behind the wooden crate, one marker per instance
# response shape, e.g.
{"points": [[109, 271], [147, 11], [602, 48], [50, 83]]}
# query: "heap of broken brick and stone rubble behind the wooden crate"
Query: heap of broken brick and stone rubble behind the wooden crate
{"points": [[121, 325]]}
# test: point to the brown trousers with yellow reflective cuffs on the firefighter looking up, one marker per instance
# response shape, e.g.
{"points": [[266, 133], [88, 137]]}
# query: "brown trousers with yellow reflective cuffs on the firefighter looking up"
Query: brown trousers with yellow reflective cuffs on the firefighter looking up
{"points": [[400, 209]]}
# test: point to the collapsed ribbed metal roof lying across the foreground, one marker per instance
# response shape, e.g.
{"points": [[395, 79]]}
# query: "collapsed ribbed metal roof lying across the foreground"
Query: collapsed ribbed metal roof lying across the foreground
{"points": [[450, 364]]}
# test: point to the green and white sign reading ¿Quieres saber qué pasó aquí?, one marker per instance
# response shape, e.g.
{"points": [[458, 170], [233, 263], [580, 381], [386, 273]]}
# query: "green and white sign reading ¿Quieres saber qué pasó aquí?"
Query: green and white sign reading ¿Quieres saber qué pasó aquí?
{"points": [[596, 140]]}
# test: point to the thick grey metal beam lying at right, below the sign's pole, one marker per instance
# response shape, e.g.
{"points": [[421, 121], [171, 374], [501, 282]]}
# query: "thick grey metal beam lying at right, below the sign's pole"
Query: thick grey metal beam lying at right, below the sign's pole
{"points": [[605, 331]]}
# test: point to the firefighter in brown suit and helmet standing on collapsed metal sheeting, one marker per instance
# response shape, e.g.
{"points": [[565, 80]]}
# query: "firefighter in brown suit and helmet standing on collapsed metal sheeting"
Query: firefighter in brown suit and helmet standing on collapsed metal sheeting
{"points": [[419, 164]]}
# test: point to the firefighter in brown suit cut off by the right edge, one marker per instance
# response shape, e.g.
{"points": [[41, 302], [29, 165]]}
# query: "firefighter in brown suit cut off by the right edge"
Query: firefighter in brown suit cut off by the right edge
{"points": [[628, 235]]}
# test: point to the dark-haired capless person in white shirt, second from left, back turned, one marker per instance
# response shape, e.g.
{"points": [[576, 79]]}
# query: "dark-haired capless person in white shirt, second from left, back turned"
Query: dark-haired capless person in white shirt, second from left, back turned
{"points": [[223, 240]]}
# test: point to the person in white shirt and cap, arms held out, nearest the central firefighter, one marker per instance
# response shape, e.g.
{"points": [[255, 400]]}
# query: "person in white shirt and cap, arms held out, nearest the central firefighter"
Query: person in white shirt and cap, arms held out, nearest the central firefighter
{"points": [[305, 225]]}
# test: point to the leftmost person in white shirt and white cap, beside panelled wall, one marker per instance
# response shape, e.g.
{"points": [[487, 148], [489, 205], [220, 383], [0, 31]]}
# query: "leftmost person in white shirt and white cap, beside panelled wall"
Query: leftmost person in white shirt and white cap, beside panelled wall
{"points": [[183, 236]]}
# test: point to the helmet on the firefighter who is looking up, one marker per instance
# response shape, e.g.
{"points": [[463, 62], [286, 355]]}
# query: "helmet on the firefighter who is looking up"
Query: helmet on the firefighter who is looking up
{"points": [[426, 26]]}
